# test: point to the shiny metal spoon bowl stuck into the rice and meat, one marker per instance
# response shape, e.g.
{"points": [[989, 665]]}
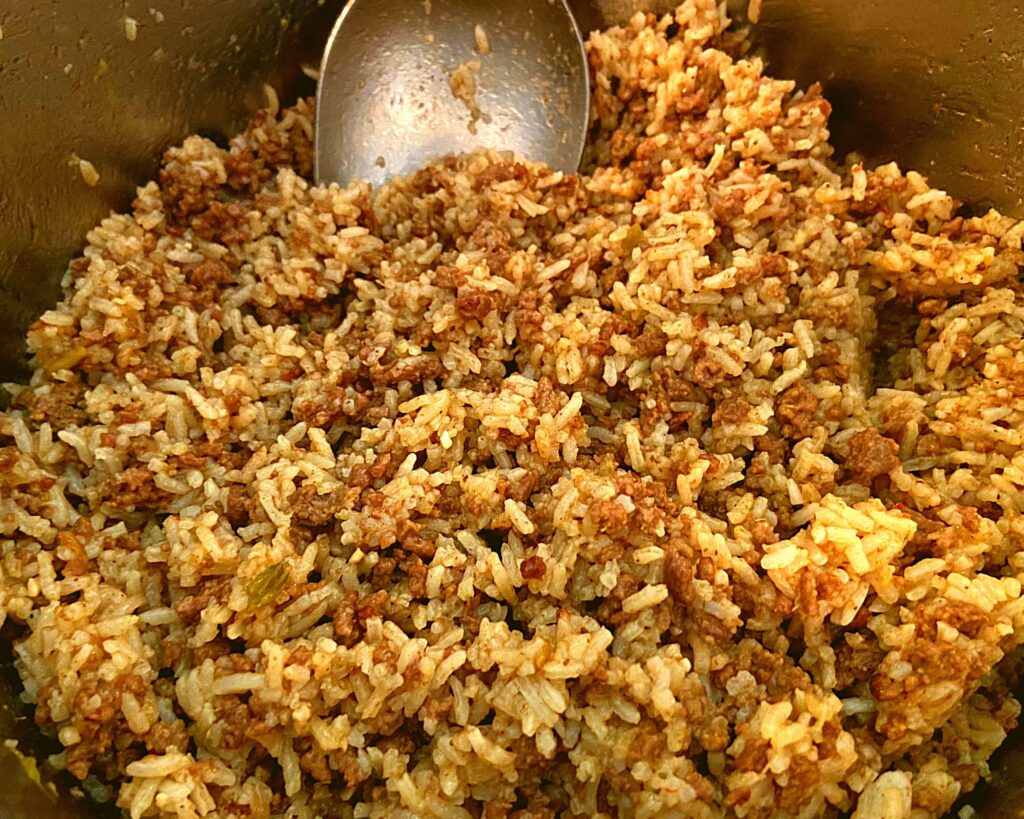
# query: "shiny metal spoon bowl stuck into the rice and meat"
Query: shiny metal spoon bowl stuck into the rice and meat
{"points": [[409, 81]]}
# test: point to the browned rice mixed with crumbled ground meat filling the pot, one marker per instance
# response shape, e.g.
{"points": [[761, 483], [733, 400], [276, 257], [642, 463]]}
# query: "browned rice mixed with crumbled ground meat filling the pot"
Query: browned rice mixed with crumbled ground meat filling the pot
{"points": [[691, 486]]}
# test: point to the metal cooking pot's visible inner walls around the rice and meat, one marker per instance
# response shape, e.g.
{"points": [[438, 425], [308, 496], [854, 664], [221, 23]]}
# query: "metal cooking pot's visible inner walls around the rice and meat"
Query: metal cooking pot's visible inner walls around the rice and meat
{"points": [[935, 84]]}
